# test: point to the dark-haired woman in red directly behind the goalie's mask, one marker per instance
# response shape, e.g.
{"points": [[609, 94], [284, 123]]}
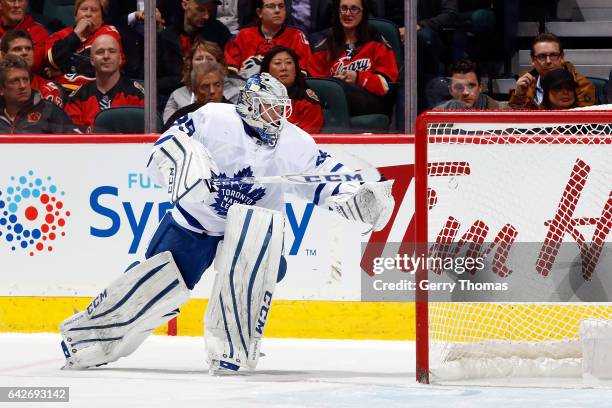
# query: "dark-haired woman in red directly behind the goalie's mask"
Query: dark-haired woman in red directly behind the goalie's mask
{"points": [[306, 112]]}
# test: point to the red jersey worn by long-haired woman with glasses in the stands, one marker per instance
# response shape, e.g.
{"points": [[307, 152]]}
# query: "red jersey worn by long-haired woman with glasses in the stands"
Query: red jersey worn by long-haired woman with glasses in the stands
{"points": [[373, 61]]}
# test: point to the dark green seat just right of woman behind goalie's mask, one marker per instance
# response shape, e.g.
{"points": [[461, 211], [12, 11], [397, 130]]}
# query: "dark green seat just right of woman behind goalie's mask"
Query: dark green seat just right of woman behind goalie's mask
{"points": [[336, 114]]}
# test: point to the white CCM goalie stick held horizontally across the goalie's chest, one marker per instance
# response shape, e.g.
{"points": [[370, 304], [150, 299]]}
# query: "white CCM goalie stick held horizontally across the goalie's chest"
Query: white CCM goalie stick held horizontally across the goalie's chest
{"points": [[370, 174]]}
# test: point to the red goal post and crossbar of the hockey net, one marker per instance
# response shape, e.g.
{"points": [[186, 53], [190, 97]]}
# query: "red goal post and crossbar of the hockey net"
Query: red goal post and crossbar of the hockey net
{"points": [[563, 121]]}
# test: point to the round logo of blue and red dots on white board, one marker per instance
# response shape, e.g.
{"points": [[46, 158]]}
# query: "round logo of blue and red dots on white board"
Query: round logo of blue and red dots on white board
{"points": [[32, 213]]}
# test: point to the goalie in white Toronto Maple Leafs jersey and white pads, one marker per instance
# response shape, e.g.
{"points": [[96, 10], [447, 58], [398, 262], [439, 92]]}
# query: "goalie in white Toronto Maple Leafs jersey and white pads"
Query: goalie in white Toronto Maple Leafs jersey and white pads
{"points": [[240, 228]]}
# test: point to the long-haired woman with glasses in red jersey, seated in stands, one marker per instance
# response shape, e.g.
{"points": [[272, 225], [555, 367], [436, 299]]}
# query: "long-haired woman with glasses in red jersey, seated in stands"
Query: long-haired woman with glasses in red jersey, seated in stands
{"points": [[362, 60]]}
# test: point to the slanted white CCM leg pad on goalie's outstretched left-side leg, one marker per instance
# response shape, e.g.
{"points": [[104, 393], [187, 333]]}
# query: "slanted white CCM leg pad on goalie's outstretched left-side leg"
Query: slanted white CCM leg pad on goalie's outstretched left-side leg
{"points": [[120, 318]]}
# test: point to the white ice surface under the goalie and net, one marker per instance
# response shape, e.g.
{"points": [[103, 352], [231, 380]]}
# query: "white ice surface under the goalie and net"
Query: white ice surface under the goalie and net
{"points": [[169, 372]]}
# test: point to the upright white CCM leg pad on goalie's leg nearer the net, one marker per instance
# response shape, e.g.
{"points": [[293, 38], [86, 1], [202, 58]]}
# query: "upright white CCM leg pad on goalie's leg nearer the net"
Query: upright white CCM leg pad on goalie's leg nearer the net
{"points": [[247, 266]]}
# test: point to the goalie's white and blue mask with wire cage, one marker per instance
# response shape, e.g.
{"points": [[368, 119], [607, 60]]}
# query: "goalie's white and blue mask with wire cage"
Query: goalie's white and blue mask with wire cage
{"points": [[264, 105]]}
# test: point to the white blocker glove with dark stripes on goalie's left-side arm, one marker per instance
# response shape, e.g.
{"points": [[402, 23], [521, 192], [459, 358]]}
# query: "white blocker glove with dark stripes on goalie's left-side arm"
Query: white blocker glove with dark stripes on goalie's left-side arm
{"points": [[185, 166]]}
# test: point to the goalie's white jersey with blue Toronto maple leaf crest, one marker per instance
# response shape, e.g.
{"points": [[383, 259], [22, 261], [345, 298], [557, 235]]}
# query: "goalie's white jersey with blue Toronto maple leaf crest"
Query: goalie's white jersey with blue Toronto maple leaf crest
{"points": [[222, 132]]}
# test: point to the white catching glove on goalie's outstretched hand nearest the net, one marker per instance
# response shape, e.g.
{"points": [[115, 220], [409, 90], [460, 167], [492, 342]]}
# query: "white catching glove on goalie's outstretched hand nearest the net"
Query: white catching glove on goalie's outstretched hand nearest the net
{"points": [[371, 203]]}
